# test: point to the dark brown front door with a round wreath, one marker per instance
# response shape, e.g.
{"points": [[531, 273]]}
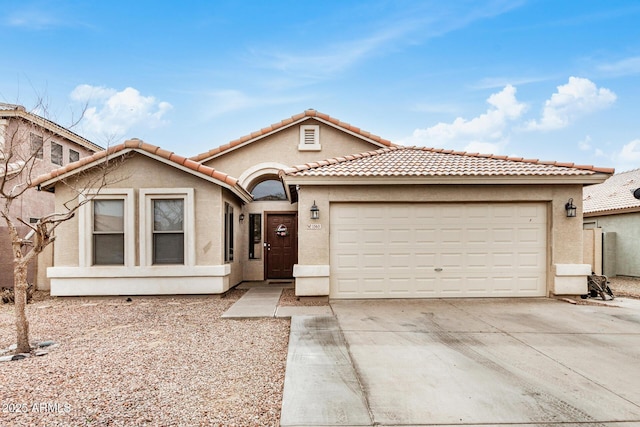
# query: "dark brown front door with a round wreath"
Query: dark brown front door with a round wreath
{"points": [[281, 245]]}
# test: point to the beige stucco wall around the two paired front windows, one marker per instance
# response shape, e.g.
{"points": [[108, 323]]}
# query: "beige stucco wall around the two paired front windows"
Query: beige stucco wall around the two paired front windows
{"points": [[206, 273]]}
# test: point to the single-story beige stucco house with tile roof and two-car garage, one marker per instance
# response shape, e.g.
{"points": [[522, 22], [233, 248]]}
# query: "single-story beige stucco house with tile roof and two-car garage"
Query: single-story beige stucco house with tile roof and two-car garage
{"points": [[390, 222]]}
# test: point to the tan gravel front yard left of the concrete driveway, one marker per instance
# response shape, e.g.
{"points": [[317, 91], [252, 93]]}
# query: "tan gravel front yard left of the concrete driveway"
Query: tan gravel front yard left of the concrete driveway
{"points": [[156, 361]]}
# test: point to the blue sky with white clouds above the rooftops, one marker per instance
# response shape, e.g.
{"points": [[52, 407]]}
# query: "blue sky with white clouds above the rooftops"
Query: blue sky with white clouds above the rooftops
{"points": [[546, 79]]}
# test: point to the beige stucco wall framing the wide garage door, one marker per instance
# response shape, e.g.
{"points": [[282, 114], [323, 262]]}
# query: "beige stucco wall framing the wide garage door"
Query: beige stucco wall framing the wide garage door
{"points": [[564, 234]]}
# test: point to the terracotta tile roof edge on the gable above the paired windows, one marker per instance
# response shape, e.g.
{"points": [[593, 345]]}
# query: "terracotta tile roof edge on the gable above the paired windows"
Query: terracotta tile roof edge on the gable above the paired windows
{"points": [[142, 147]]}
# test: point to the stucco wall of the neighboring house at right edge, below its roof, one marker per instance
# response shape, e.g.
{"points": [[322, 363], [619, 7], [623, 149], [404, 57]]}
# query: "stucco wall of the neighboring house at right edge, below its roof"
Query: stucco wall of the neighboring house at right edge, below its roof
{"points": [[627, 243]]}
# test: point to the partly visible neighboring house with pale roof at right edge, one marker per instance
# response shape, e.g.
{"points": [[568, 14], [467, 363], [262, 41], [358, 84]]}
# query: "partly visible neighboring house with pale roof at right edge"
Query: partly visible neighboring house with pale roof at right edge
{"points": [[612, 221]]}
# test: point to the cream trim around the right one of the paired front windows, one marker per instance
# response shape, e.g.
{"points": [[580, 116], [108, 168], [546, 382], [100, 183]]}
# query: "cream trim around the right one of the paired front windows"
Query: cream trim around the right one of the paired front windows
{"points": [[147, 195]]}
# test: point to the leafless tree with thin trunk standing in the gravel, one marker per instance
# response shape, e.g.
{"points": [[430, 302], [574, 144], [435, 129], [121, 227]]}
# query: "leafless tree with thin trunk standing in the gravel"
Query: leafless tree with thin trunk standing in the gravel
{"points": [[20, 155]]}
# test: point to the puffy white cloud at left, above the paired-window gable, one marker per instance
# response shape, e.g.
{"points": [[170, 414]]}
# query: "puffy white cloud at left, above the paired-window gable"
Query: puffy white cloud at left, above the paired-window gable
{"points": [[112, 113]]}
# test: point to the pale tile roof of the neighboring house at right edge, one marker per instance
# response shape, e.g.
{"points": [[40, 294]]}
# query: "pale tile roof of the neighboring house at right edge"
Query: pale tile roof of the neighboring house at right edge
{"points": [[612, 196]]}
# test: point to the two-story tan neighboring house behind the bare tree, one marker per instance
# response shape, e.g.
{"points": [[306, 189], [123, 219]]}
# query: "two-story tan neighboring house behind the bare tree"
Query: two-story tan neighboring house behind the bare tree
{"points": [[21, 135]]}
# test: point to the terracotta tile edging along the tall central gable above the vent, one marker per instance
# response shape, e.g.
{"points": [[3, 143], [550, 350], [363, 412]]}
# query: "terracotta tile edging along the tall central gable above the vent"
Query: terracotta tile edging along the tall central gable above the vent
{"points": [[293, 120]]}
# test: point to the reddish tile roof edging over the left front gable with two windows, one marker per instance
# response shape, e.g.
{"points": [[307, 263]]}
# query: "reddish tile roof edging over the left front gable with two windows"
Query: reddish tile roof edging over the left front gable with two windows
{"points": [[148, 150]]}
